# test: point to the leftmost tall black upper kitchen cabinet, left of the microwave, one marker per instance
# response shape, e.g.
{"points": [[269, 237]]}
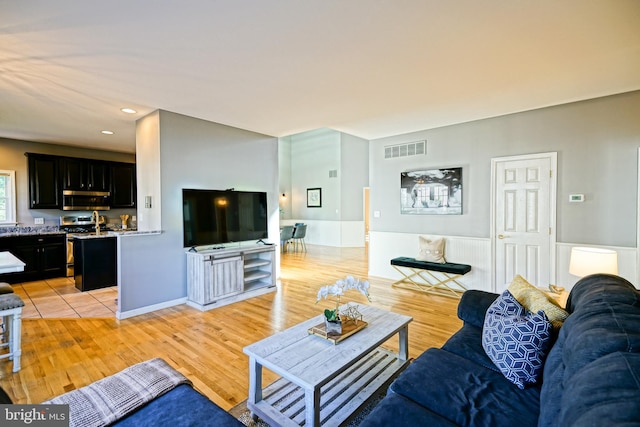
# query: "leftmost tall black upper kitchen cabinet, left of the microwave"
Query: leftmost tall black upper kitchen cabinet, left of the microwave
{"points": [[44, 188]]}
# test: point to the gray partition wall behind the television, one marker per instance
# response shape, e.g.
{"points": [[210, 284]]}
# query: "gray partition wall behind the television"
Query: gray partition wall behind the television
{"points": [[194, 153]]}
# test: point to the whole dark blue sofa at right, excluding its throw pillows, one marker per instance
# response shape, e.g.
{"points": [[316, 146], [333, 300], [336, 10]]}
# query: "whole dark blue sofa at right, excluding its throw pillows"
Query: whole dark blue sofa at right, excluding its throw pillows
{"points": [[591, 375]]}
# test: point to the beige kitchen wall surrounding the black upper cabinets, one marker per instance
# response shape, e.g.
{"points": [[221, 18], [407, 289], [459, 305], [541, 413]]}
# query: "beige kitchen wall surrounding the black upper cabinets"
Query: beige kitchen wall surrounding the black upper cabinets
{"points": [[12, 157]]}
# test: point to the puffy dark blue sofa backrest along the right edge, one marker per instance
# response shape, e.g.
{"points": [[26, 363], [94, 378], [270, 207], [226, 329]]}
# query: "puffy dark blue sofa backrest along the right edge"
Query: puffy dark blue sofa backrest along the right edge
{"points": [[604, 321]]}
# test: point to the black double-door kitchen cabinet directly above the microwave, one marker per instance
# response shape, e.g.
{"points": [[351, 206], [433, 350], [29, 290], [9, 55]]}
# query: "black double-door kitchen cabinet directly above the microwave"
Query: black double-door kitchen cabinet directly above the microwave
{"points": [[85, 174]]}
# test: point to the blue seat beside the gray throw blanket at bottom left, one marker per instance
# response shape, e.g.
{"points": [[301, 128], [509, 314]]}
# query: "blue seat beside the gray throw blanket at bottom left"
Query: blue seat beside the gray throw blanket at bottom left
{"points": [[181, 407]]}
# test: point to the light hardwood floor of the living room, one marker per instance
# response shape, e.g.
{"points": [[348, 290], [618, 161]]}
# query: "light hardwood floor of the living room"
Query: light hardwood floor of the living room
{"points": [[64, 354]]}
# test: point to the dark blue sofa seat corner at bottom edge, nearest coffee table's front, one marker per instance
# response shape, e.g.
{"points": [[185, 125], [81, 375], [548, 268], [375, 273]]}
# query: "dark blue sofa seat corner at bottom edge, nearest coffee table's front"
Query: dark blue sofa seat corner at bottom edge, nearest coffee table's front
{"points": [[397, 411]]}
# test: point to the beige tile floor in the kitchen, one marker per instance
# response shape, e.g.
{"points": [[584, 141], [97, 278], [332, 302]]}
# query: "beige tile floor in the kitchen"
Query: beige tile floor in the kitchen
{"points": [[59, 298]]}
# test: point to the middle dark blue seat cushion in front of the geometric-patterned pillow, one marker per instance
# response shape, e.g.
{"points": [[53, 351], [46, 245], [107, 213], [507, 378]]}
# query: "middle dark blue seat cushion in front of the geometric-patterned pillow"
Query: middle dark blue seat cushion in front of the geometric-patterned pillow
{"points": [[466, 393]]}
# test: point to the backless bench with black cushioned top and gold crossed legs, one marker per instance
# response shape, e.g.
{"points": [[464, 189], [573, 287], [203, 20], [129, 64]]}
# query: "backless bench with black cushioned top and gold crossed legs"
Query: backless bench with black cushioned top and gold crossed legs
{"points": [[431, 277]]}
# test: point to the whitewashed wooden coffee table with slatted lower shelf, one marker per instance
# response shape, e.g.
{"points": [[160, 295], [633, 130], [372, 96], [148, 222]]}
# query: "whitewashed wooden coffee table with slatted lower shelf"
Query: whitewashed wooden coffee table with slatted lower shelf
{"points": [[324, 383]]}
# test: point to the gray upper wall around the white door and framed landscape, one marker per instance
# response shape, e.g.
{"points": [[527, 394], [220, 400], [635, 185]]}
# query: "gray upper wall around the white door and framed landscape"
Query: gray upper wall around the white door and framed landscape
{"points": [[597, 144]]}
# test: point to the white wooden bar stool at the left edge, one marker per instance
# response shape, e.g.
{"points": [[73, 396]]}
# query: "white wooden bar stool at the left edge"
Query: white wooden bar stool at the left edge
{"points": [[11, 313]]}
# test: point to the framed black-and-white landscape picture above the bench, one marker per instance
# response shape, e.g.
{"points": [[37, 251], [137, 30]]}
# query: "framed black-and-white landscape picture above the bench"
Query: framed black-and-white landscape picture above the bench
{"points": [[431, 192]]}
